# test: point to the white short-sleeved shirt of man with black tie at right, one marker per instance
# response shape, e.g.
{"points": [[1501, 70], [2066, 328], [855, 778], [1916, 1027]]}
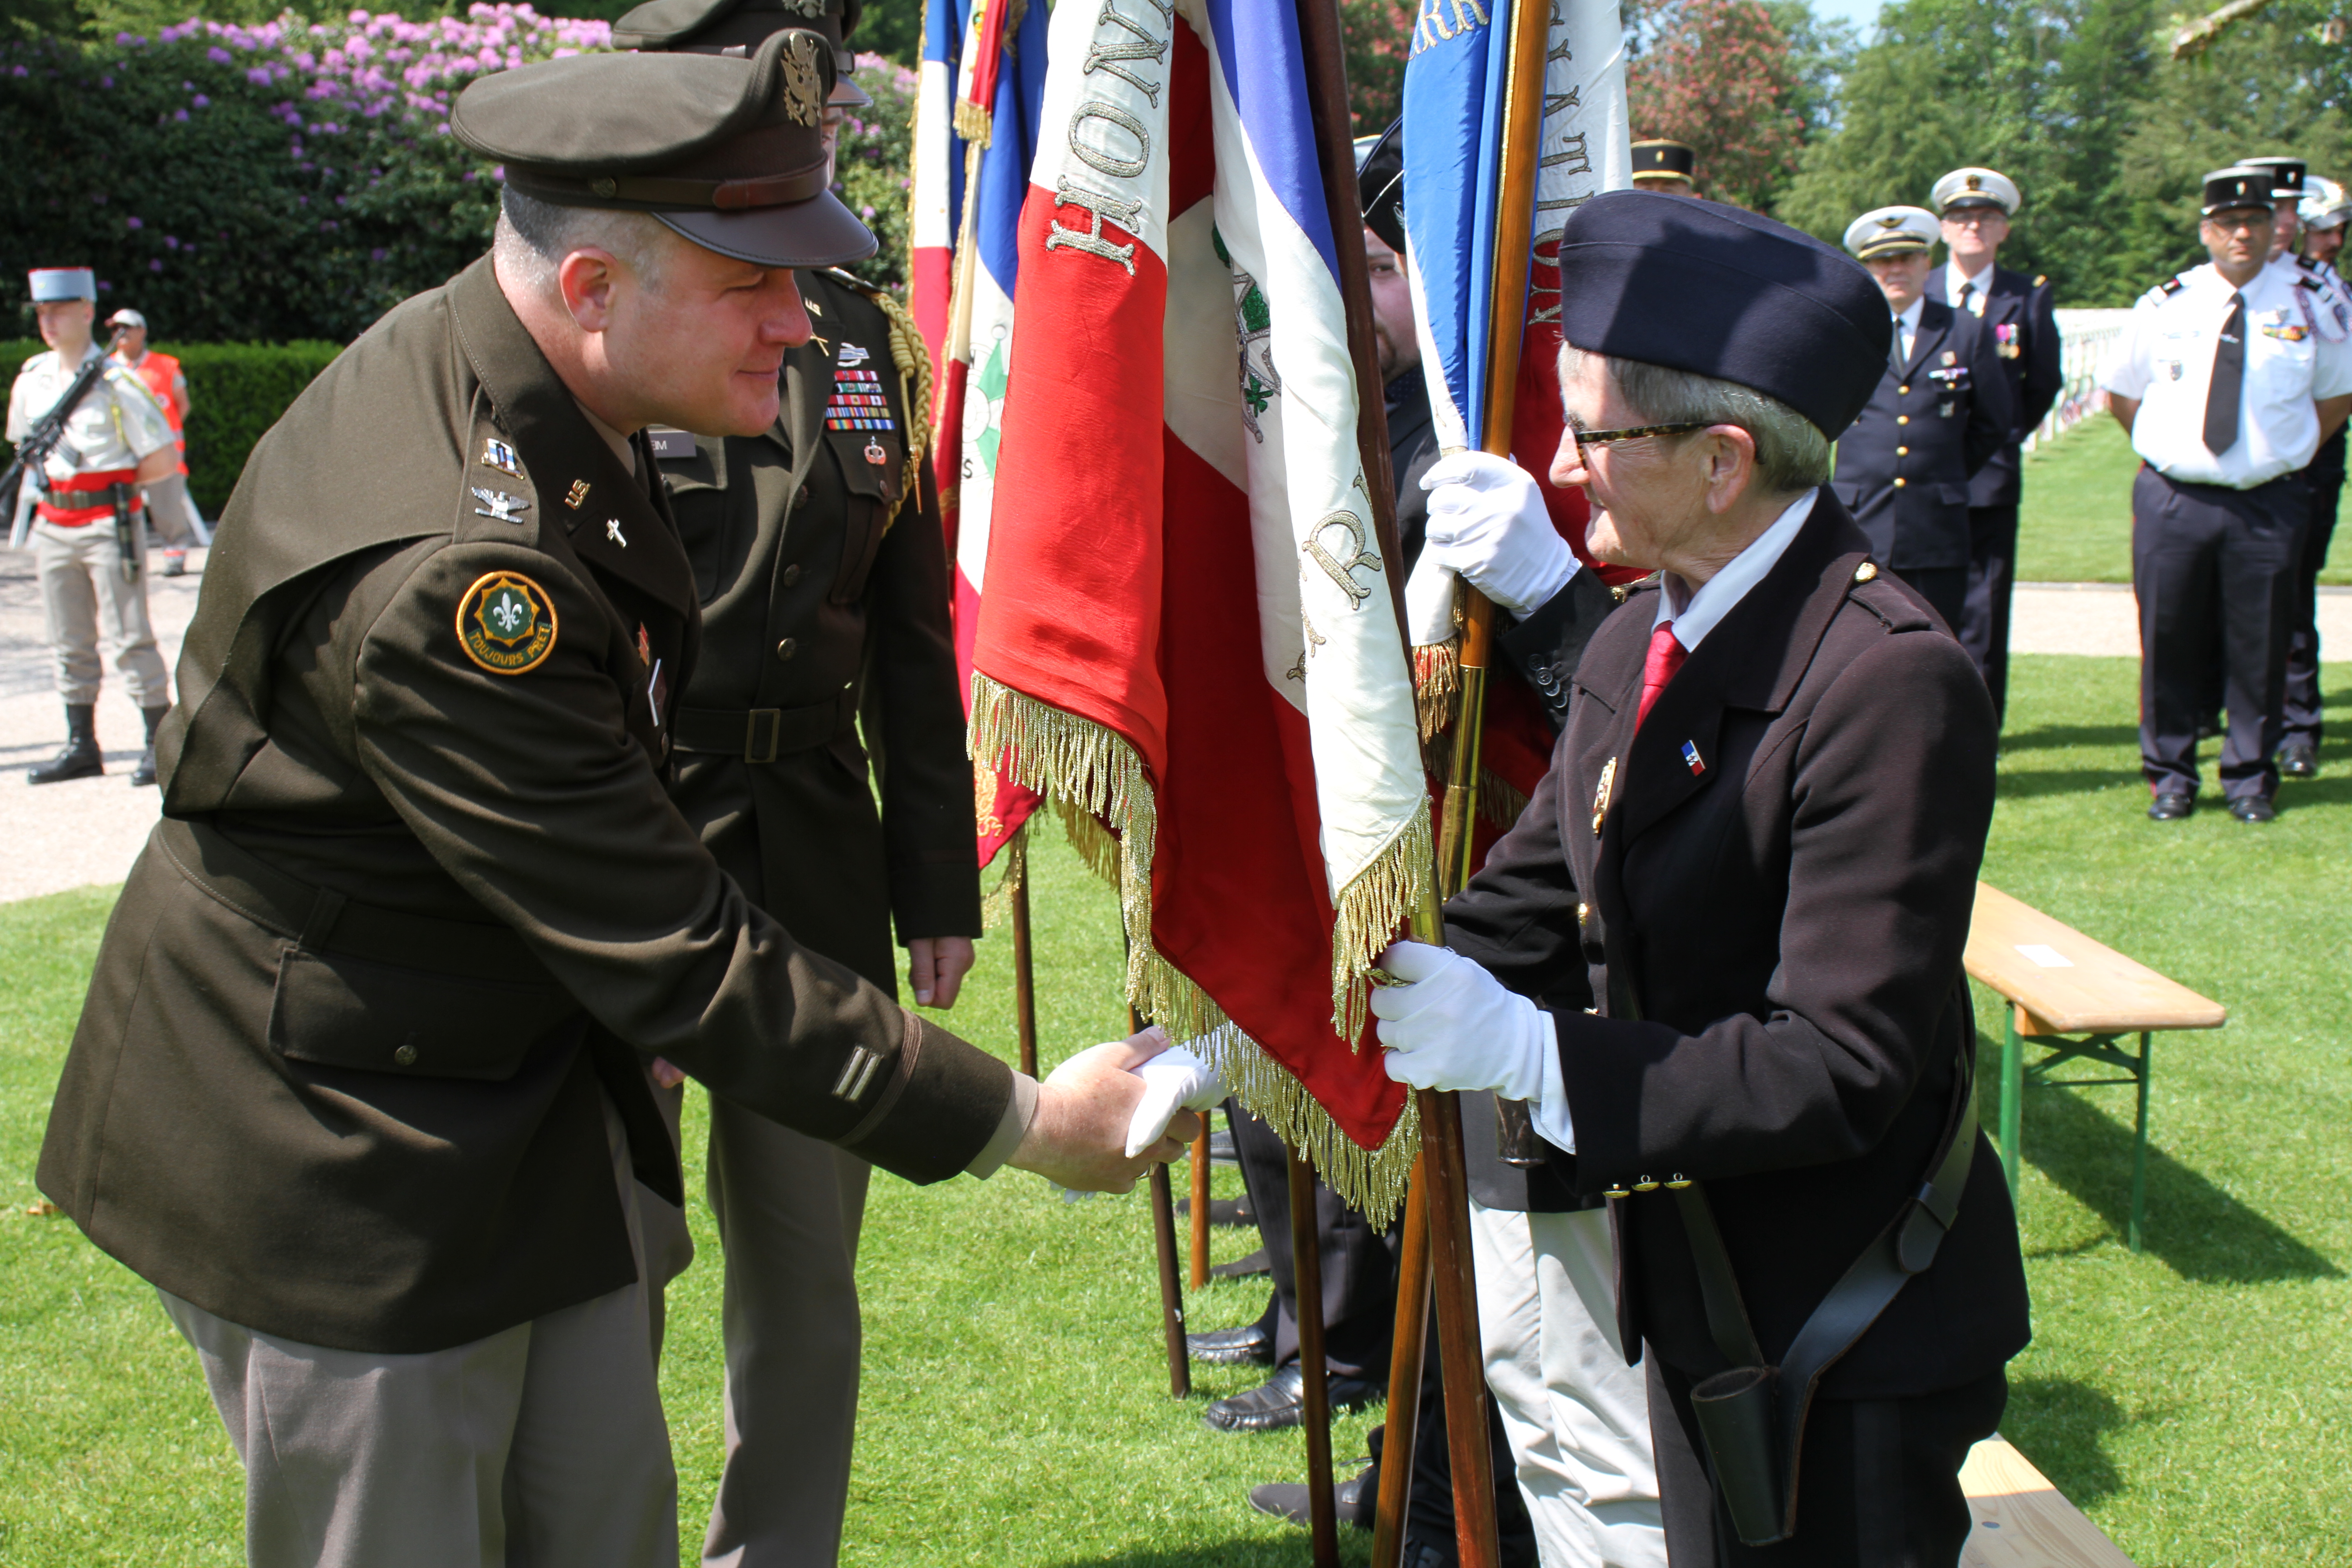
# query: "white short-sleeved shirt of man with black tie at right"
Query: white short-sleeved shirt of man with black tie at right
{"points": [[2294, 354]]}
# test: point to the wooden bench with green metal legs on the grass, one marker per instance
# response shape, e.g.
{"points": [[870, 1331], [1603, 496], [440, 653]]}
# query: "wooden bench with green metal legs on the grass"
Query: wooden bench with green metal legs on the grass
{"points": [[2080, 1000]]}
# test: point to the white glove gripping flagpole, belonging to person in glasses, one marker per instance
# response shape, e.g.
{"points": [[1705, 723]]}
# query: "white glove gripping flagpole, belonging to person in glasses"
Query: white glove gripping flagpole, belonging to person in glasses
{"points": [[1452, 1026]]}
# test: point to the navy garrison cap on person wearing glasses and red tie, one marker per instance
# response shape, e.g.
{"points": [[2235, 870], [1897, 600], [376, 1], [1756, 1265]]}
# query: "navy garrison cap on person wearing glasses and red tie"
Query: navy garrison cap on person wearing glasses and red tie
{"points": [[1725, 293]]}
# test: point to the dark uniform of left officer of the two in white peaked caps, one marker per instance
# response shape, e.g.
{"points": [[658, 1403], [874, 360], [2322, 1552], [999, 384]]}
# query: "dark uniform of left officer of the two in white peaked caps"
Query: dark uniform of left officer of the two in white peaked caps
{"points": [[1904, 469]]}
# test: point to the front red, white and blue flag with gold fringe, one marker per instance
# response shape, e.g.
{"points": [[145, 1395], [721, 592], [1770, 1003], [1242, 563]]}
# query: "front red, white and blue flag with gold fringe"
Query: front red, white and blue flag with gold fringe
{"points": [[1187, 626]]}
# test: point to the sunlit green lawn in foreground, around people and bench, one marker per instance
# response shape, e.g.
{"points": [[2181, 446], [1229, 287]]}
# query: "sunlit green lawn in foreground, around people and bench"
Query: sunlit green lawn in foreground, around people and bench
{"points": [[2193, 1398]]}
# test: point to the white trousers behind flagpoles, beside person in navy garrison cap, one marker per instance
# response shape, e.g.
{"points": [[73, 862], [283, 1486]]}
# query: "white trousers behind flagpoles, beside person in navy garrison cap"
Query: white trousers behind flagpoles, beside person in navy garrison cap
{"points": [[1577, 1416]]}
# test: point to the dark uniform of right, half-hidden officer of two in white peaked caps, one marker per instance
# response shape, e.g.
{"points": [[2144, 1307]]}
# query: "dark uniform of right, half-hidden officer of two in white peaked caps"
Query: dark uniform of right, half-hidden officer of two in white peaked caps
{"points": [[2024, 323]]}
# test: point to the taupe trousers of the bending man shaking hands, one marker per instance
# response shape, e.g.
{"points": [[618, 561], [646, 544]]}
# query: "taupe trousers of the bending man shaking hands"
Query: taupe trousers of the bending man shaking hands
{"points": [[540, 1447]]}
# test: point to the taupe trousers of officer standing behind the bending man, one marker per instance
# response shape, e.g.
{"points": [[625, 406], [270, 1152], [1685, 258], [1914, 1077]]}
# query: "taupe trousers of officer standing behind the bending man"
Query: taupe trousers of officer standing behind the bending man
{"points": [[789, 1214]]}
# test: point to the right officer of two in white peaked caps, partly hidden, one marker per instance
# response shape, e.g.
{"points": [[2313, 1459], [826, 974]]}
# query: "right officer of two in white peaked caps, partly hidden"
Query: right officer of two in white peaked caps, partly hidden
{"points": [[1975, 210]]}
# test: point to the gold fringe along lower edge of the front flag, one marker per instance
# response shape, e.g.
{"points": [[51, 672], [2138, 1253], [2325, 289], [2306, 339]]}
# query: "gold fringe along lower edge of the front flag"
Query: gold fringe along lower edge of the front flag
{"points": [[1109, 805]]}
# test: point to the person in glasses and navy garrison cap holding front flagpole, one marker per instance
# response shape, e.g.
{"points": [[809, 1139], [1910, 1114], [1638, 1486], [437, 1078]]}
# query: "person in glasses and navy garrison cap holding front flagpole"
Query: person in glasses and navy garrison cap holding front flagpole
{"points": [[1720, 953]]}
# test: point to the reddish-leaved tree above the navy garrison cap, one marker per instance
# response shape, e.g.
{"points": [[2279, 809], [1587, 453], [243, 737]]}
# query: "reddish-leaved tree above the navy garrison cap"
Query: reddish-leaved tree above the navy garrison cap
{"points": [[1720, 76]]}
